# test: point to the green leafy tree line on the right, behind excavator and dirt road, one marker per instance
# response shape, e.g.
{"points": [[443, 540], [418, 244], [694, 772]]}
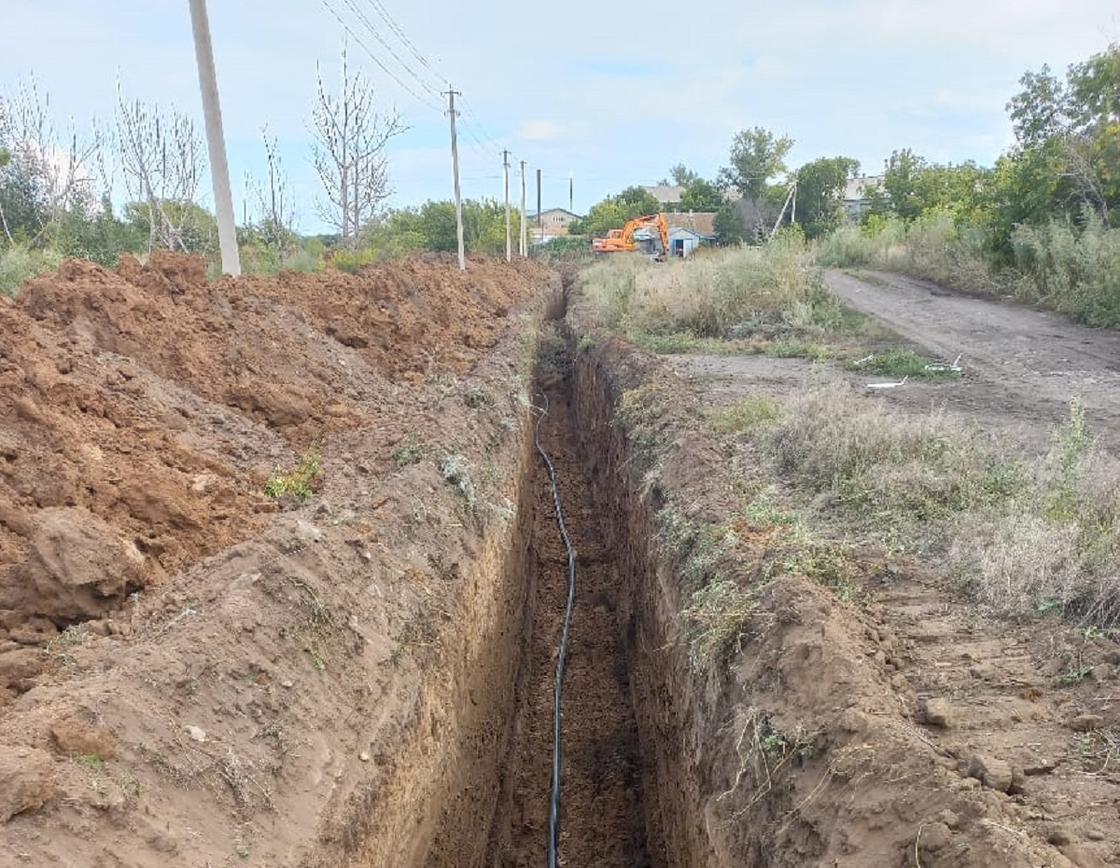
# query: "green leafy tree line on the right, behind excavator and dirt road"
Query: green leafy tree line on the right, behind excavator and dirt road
{"points": [[1065, 166]]}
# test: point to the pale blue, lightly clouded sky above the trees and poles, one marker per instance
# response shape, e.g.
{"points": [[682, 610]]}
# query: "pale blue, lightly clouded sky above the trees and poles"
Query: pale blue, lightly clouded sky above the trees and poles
{"points": [[610, 95]]}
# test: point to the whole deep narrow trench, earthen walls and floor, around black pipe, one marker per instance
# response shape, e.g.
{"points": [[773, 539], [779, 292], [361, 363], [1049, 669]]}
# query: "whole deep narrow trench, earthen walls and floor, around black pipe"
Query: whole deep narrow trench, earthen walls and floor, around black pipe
{"points": [[479, 794]]}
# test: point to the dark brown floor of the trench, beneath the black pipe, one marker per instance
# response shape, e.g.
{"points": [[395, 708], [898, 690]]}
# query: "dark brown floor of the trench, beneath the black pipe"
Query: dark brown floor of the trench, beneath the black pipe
{"points": [[603, 818]]}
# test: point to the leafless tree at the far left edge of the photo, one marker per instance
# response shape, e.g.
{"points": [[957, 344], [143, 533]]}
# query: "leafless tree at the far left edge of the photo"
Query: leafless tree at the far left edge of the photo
{"points": [[57, 167]]}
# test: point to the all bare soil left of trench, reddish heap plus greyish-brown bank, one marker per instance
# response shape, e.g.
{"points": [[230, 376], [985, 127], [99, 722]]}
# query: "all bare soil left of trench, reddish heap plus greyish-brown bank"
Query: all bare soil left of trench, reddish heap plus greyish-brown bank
{"points": [[193, 673]]}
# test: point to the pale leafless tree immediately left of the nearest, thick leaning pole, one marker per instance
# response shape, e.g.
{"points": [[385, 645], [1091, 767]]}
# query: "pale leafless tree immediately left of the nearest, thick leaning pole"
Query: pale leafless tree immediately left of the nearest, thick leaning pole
{"points": [[162, 161]]}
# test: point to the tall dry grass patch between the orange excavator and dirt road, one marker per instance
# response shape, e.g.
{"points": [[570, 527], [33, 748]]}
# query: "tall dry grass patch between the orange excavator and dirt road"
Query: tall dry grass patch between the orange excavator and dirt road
{"points": [[770, 291]]}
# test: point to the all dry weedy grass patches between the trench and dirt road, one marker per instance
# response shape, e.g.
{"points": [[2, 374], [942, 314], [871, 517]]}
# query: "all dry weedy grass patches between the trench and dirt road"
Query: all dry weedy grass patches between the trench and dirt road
{"points": [[828, 470]]}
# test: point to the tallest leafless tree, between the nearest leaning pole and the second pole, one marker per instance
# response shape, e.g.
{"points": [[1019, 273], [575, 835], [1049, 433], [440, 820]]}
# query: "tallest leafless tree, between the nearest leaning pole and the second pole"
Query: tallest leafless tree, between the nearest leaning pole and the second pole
{"points": [[350, 153]]}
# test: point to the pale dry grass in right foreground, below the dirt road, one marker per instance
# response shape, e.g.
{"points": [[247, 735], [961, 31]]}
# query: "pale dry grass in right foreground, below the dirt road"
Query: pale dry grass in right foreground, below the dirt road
{"points": [[1025, 537]]}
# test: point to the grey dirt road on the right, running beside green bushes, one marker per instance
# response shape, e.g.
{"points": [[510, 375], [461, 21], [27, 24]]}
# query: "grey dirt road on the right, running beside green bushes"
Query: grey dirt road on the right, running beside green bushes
{"points": [[1021, 366]]}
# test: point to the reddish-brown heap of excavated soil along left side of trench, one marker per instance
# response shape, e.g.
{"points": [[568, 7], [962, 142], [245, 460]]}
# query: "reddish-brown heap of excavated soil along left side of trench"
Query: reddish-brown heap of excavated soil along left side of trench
{"points": [[143, 409]]}
